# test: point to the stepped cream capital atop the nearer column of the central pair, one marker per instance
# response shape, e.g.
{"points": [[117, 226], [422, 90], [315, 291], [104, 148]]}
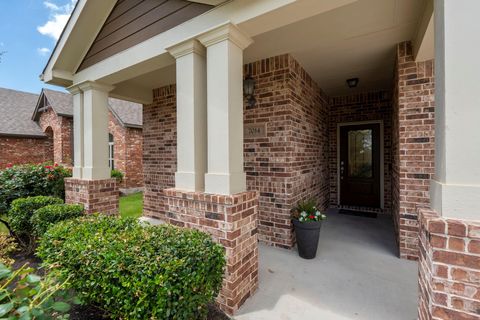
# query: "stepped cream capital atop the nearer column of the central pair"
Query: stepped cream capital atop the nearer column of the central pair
{"points": [[227, 31]]}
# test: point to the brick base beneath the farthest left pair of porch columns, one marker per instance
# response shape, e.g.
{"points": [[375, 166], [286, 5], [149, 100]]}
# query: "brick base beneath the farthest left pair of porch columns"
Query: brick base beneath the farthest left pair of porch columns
{"points": [[96, 195]]}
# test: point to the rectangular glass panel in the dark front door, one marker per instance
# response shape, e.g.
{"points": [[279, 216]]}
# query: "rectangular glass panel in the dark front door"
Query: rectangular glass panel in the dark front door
{"points": [[360, 154]]}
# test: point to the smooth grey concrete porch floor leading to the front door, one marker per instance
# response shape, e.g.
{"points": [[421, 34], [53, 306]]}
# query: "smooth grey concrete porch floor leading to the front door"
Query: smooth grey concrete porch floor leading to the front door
{"points": [[356, 275]]}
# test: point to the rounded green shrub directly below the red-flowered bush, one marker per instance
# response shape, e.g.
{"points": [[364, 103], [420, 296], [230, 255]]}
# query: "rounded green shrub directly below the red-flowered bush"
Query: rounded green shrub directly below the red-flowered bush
{"points": [[22, 210]]}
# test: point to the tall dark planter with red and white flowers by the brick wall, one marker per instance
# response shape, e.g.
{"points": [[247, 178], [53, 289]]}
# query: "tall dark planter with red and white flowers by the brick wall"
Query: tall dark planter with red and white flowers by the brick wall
{"points": [[307, 220]]}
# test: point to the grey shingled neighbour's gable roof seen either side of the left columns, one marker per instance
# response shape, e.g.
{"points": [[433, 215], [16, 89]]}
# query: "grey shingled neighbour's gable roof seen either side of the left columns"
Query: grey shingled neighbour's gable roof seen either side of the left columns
{"points": [[129, 114]]}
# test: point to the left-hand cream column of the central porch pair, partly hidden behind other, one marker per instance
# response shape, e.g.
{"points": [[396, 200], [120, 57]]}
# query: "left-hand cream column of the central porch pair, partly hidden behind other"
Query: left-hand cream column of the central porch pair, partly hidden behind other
{"points": [[191, 115]]}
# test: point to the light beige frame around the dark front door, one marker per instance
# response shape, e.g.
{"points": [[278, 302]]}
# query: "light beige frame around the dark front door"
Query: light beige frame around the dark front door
{"points": [[382, 160]]}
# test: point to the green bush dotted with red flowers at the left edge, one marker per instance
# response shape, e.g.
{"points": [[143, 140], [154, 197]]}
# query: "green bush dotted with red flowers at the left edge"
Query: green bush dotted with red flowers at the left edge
{"points": [[31, 180]]}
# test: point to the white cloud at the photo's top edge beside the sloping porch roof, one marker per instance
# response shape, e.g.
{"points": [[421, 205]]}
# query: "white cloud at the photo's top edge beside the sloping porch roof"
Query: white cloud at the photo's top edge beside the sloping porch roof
{"points": [[59, 15]]}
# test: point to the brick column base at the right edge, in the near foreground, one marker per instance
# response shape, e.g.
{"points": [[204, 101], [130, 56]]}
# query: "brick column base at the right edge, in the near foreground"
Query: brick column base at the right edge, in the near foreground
{"points": [[449, 268]]}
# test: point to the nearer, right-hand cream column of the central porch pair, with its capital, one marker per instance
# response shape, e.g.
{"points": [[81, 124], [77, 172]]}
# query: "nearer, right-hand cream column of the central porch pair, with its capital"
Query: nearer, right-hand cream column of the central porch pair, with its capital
{"points": [[225, 46]]}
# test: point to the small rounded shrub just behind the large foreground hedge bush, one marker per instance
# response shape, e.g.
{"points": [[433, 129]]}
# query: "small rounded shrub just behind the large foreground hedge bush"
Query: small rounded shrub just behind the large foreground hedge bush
{"points": [[44, 217]]}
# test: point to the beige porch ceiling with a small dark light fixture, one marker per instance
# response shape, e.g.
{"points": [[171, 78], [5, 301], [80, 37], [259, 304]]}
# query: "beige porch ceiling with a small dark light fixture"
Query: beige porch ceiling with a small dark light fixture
{"points": [[357, 40]]}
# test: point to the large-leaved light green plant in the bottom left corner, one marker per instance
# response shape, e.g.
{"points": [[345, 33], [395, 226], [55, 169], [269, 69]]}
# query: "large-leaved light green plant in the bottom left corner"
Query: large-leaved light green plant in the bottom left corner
{"points": [[25, 295]]}
